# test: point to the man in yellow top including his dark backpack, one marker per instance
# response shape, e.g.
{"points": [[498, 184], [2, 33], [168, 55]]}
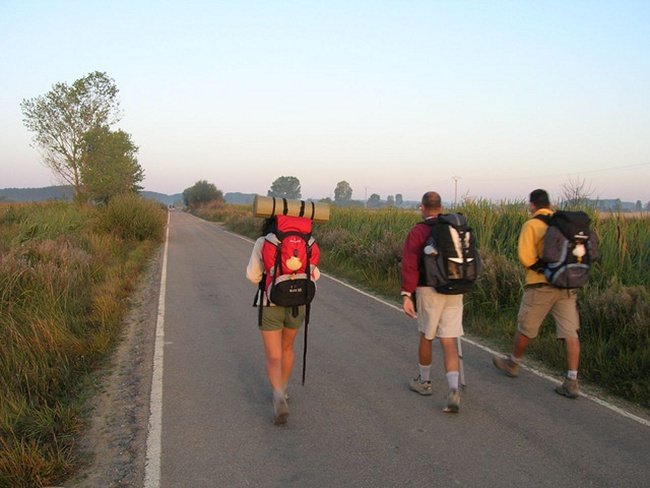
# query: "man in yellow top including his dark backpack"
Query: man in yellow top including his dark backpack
{"points": [[556, 266]]}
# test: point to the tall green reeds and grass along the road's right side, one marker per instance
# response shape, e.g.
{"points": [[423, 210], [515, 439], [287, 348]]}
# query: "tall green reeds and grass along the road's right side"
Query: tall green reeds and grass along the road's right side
{"points": [[364, 247]]}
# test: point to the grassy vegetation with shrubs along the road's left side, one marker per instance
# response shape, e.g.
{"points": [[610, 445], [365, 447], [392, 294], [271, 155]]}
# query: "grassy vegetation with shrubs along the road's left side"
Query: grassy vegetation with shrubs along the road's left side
{"points": [[66, 272]]}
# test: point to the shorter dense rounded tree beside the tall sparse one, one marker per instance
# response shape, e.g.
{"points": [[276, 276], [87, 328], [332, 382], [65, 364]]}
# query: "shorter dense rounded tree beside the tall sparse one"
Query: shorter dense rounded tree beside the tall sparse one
{"points": [[109, 164]]}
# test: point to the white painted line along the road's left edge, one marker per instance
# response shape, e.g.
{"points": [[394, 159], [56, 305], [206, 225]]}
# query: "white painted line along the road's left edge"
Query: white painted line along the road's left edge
{"points": [[154, 436]]}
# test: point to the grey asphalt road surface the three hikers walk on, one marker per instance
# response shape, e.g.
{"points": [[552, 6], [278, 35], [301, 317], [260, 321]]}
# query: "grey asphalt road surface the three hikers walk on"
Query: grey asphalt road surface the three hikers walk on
{"points": [[355, 423]]}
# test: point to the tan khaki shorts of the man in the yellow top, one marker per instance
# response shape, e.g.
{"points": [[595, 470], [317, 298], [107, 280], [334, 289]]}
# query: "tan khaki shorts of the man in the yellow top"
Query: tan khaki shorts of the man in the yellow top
{"points": [[536, 304]]}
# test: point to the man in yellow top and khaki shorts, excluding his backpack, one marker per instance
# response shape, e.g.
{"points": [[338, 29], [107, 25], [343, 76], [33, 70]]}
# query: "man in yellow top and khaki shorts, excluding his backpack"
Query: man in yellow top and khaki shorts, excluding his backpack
{"points": [[539, 299]]}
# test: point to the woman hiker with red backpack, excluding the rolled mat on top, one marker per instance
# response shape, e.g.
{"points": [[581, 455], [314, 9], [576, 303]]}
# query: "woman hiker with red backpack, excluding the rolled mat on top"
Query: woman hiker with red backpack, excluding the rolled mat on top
{"points": [[284, 264]]}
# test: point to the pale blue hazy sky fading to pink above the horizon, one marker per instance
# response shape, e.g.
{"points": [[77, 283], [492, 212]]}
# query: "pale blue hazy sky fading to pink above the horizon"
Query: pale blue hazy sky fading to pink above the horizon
{"points": [[391, 96]]}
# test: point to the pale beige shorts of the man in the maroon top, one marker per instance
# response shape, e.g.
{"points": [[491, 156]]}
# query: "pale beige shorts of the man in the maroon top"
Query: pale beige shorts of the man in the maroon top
{"points": [[438, 315]]}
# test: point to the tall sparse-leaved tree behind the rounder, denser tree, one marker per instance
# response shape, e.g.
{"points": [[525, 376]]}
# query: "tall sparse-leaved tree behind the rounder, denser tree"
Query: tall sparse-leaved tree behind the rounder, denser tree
{"points": [[60, 119]]}
